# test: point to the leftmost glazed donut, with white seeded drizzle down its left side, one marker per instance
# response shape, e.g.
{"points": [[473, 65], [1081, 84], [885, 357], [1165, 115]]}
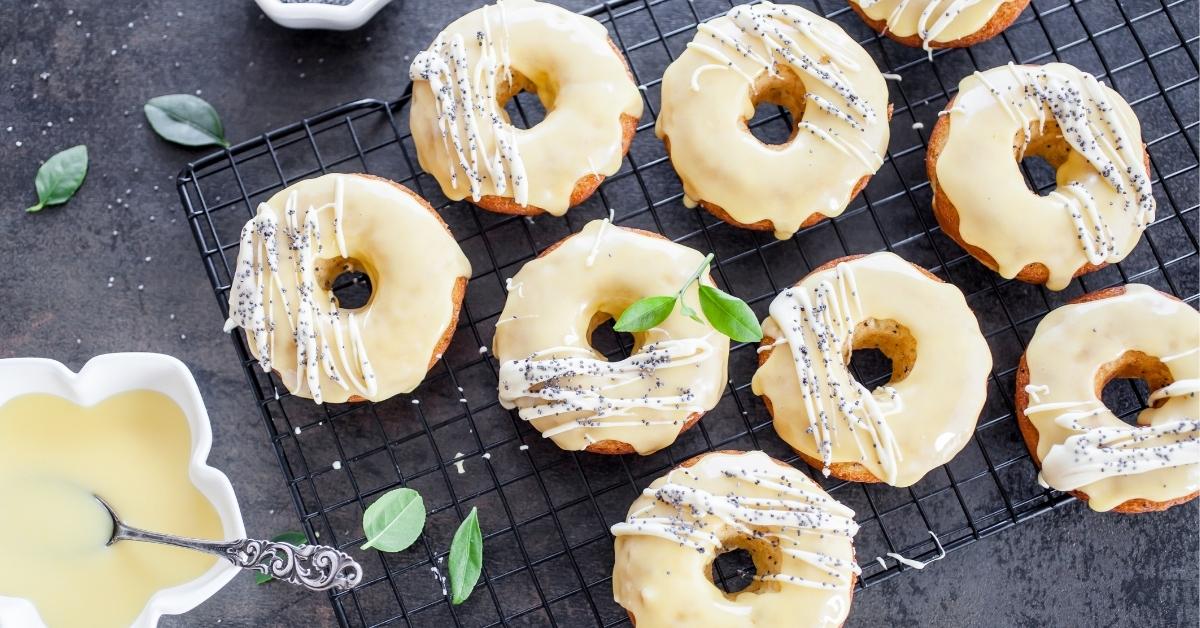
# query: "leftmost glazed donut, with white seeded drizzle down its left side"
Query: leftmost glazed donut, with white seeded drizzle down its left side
{"points": [[311, 232]]}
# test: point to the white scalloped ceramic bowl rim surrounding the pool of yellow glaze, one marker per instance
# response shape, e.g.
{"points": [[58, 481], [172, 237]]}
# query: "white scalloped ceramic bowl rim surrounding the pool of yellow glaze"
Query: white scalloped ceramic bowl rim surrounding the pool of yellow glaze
{"points": [[104, 378]]}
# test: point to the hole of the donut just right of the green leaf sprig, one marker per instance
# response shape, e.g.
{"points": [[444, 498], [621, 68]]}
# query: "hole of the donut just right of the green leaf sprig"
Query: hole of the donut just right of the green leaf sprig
{"points": [[881, 352]]}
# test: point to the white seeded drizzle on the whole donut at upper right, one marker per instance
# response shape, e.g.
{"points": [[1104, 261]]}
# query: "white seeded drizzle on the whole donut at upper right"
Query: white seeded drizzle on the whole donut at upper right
{"points": [[1090, 125]]}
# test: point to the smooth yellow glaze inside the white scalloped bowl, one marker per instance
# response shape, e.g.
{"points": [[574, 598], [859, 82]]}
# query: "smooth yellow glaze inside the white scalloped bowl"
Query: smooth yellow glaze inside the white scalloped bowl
{"points": [[134, 450]]}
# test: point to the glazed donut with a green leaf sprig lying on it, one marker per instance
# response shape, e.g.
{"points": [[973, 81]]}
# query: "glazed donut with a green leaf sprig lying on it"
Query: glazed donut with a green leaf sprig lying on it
{"points": [[565, 387]]}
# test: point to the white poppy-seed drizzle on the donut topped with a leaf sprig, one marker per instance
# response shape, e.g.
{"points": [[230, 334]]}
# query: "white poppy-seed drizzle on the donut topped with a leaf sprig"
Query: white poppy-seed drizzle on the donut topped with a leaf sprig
{"points": [[547, 385]]}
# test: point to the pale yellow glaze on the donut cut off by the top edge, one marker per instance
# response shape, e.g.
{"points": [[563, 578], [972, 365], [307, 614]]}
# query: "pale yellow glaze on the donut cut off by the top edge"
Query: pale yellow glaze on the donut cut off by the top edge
{"points": [[933, 21]]}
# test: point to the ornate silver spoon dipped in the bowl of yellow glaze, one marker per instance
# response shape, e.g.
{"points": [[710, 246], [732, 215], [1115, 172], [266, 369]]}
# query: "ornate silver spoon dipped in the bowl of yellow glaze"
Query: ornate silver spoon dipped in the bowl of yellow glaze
{"points": [[314, 567]]}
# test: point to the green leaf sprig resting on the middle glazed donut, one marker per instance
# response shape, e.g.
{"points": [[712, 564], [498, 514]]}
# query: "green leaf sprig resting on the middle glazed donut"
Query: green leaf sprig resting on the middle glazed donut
{"points": [[725, 313]]}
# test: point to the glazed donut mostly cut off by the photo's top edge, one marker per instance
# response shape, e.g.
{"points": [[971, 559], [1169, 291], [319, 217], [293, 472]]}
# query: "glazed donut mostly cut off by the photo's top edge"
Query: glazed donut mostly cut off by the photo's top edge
{"points": [[931, 25]]}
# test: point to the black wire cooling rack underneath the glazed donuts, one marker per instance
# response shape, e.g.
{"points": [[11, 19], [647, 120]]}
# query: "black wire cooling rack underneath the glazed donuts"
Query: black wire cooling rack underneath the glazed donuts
{"points": [[545, 512]]}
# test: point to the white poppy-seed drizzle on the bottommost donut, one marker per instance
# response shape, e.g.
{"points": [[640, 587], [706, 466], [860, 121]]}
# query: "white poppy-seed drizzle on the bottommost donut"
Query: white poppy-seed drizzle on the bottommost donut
{"points": [[797, 511]]}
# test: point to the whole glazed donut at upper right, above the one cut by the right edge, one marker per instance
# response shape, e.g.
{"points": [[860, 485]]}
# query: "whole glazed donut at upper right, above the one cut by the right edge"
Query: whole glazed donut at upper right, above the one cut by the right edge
{"points": [[1085, 130]]}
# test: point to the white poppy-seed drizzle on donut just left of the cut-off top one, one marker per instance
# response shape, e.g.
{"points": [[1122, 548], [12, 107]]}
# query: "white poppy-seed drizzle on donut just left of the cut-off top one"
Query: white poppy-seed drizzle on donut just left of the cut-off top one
{"points": [[789, 37]]}
